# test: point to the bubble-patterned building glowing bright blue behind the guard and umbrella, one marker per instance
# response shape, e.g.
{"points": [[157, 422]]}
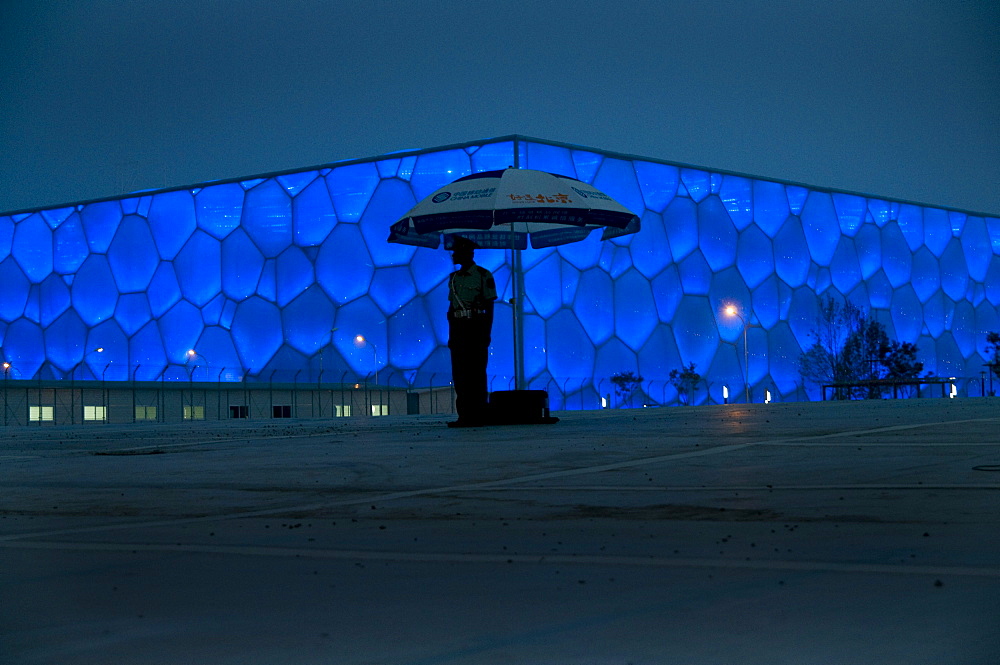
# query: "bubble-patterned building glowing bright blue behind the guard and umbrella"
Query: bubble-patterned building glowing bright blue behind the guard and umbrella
{"points": [[273, 277]]}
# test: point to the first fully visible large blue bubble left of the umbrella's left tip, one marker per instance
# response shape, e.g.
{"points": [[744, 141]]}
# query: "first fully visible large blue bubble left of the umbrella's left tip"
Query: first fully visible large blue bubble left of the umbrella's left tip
{"points": [[343, 267]]}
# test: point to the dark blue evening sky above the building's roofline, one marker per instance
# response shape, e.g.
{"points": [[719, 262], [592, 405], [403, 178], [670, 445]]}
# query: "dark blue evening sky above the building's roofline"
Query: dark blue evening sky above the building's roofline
{"points": [[897, 98]]}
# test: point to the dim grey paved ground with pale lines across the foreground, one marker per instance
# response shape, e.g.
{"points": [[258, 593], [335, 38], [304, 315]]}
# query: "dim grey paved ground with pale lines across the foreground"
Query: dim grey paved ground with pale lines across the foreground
{"points": [[795, 533]]}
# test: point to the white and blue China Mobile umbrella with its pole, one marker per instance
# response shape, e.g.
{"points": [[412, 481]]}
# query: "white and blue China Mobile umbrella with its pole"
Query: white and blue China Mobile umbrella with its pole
{"points": [[508, 209]]}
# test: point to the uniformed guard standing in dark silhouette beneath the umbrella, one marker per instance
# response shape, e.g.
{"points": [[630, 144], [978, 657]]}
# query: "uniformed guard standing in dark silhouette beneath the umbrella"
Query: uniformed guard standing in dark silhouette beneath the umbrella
{"points": [[471, 292]]}
